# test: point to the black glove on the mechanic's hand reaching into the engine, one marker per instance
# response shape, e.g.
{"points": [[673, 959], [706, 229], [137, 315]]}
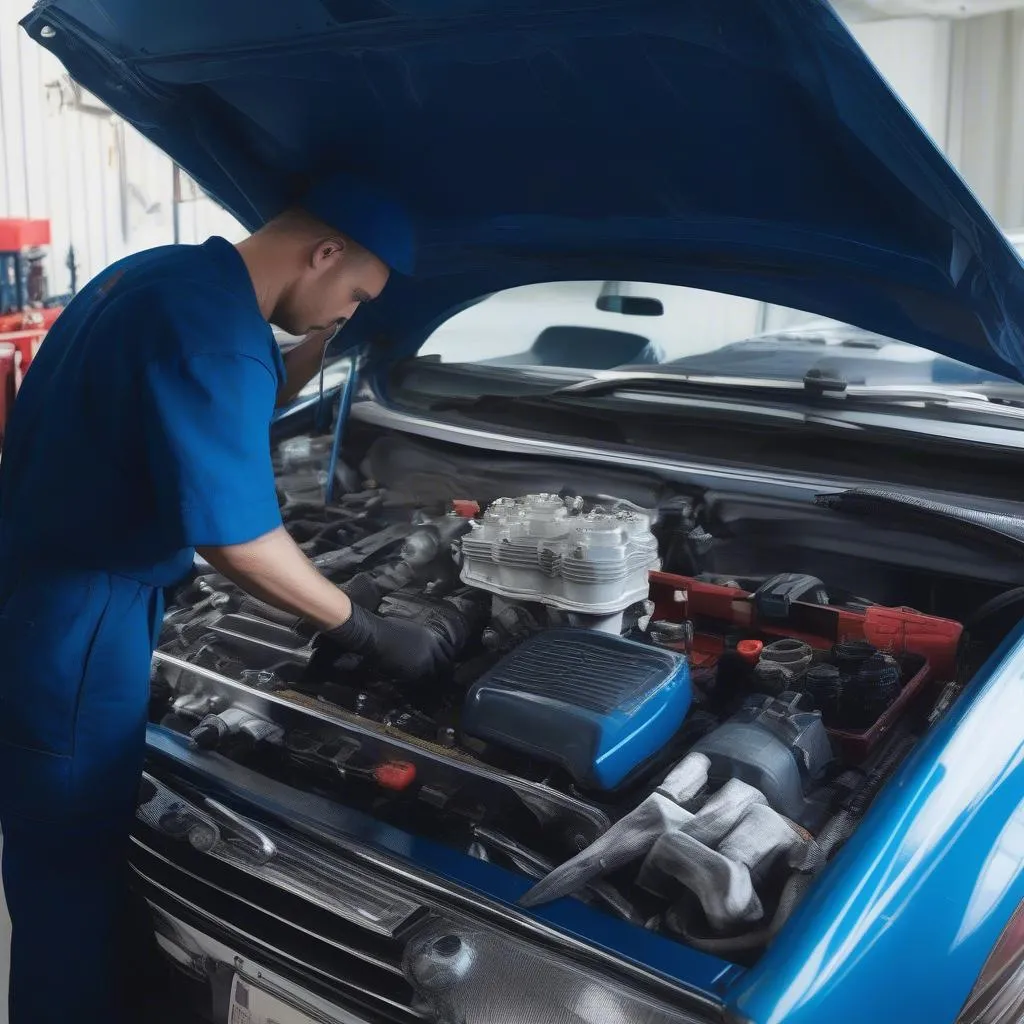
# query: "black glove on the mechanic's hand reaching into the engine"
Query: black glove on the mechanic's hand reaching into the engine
{"points": [[406, 651]]}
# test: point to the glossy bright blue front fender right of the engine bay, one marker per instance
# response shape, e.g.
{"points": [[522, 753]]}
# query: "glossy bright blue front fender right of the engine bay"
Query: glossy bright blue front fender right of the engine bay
{"points": [[900, 927]]}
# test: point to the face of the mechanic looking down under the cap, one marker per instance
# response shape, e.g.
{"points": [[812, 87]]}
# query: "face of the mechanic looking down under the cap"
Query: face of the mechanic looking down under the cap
{"points": [[338, 277]]}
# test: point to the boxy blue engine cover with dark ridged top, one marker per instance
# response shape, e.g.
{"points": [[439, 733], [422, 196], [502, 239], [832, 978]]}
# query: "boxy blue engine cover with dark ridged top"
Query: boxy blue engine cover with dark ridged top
{"points": [[591, 702]]}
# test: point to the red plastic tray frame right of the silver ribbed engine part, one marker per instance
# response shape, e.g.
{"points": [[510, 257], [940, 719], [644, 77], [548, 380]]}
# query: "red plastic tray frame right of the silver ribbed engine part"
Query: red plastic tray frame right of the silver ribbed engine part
{"points": [[717, 612]]}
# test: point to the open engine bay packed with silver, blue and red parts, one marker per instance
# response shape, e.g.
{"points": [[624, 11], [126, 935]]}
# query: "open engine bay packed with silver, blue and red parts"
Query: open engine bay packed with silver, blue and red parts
{"points": [[624, 723]]}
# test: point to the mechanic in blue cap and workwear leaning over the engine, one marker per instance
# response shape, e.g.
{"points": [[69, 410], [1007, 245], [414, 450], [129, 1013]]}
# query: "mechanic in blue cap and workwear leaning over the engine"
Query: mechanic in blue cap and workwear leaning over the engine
{"points": [[142, 436]]}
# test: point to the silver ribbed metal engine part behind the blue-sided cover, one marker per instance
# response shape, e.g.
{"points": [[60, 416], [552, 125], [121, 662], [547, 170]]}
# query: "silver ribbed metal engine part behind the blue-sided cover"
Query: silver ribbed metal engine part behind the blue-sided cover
{"points": [[544, 548]]}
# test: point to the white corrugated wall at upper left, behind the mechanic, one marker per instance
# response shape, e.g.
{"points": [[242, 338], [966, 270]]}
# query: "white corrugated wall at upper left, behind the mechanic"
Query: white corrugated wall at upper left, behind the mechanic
{"points": [[106, 190]]}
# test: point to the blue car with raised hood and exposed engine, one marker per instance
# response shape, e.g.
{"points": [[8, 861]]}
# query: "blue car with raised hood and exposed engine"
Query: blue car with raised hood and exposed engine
{"points": [[736, 731]]}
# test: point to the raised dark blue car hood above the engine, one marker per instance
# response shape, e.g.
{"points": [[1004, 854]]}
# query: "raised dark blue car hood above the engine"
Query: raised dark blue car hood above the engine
{"points": [[747, 147]]}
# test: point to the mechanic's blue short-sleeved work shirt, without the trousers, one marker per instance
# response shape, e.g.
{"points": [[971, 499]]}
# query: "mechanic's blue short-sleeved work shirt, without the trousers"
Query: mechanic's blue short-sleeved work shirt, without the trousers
{"points": [[142, 431]]}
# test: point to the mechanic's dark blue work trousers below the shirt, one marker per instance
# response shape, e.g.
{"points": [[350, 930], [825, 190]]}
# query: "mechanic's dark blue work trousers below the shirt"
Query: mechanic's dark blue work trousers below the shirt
{"points": [[75, 653]]}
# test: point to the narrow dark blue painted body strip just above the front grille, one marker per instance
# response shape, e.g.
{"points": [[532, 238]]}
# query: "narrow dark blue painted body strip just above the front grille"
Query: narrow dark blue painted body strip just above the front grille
{"points": [[219, 777]]}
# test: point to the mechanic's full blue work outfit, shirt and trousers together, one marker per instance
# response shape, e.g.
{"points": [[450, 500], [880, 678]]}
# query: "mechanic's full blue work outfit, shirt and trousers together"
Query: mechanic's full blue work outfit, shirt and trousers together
{"points": [[141, 433]]}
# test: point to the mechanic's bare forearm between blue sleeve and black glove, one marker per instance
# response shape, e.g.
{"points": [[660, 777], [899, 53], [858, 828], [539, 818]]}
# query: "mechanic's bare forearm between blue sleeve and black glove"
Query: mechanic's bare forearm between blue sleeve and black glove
{"points": [[274, 570]]}
